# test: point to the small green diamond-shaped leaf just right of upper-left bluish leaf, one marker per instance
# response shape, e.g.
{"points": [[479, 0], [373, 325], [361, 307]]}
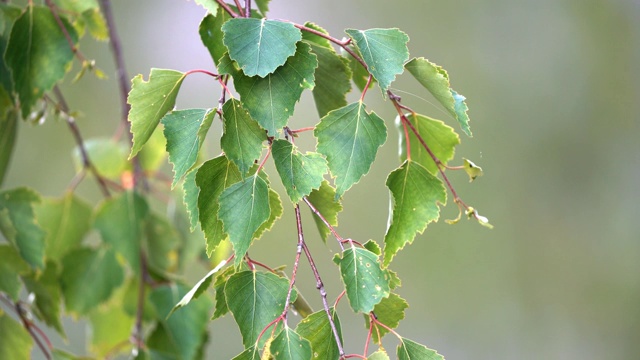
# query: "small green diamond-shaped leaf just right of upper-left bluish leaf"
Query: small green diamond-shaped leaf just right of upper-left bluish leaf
{"points": [[242, 138]]}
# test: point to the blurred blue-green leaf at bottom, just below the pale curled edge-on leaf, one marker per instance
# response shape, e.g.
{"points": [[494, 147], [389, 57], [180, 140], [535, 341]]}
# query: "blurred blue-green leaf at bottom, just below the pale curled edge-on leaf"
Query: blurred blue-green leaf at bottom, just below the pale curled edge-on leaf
{"points": [[185, 329]]}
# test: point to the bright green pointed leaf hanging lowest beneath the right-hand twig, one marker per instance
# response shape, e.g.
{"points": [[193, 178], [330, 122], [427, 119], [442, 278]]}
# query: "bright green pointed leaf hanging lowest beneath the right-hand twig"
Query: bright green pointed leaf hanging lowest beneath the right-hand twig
{"points": [[416, 195]]}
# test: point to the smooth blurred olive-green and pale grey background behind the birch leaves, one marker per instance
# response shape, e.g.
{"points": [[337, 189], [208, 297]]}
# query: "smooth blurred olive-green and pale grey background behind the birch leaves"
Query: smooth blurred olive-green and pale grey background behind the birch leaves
{"points": [[553, 88]]}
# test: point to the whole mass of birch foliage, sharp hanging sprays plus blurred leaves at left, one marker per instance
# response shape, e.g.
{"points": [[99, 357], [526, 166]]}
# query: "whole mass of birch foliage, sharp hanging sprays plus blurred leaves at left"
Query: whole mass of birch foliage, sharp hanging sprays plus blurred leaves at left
{"points": [[129, 278]]}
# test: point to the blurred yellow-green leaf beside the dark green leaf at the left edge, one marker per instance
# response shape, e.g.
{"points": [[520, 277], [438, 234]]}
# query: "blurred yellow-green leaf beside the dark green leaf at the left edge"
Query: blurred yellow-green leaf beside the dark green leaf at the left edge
{"points": [[66, 220]]}
